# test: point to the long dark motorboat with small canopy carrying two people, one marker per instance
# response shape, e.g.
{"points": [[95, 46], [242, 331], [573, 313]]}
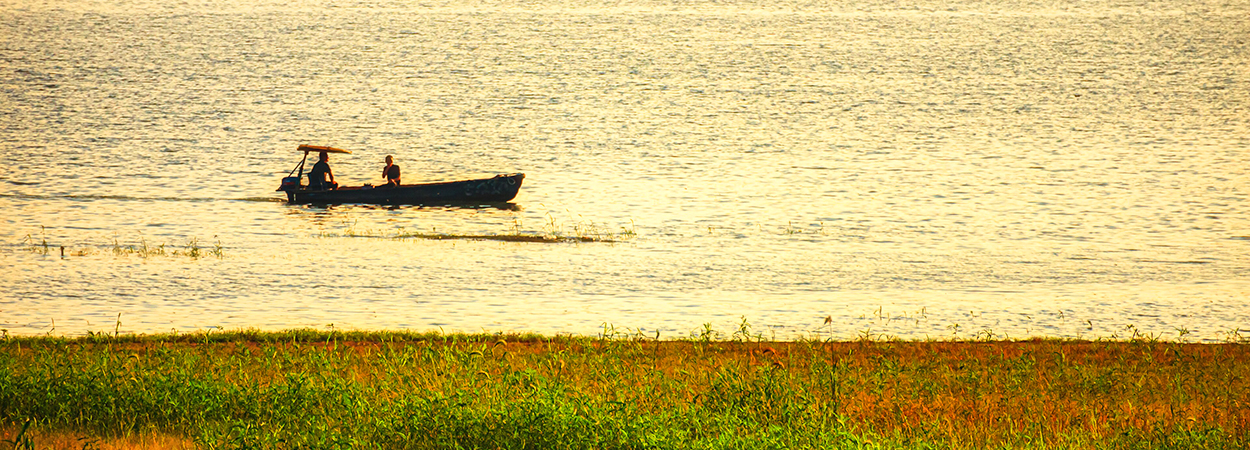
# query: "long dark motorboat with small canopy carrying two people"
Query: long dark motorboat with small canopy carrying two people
{"points": [[493, 191]]}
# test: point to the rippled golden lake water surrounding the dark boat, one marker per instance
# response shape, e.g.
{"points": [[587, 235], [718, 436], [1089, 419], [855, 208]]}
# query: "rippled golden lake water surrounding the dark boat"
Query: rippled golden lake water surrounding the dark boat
{"points": [[922, 169]]}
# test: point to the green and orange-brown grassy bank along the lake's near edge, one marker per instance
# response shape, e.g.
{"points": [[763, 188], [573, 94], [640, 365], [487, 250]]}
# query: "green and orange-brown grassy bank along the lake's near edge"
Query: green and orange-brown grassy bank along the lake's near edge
{"points": [[399, 391]]}
